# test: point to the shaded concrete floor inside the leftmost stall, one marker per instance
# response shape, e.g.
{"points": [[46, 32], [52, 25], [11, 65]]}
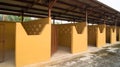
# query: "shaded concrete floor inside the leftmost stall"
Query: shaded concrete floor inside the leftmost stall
{"points": [[9, 59]]}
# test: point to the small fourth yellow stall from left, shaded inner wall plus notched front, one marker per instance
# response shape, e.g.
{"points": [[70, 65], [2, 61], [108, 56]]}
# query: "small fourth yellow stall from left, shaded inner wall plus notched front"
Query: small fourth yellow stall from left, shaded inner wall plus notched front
{"points": [[111, 34]]}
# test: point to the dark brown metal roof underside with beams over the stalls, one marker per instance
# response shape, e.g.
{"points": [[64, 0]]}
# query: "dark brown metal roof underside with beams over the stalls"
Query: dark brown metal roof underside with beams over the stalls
{"points": [[71, 10]]}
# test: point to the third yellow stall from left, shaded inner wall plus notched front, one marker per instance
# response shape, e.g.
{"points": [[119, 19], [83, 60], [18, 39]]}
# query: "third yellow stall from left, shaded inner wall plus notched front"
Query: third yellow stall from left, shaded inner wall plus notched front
{"points": [[97, 35]]}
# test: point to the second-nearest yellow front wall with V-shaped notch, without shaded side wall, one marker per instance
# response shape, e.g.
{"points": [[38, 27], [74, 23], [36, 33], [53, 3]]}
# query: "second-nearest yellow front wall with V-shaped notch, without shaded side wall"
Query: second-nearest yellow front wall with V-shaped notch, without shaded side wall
{"points": [[79, 36]]}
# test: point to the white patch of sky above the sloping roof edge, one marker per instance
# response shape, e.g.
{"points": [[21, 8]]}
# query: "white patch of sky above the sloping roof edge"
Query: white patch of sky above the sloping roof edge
{"points": [[112, 3]]}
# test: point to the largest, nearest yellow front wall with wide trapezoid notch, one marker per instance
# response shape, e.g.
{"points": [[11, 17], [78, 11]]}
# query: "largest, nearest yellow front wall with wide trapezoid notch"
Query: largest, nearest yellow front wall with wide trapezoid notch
{"points": [[33, 41]]}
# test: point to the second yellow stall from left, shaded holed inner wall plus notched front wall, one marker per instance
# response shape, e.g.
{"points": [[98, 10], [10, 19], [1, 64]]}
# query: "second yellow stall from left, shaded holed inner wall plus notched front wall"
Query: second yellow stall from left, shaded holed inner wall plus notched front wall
{"points": [[73, 36]]}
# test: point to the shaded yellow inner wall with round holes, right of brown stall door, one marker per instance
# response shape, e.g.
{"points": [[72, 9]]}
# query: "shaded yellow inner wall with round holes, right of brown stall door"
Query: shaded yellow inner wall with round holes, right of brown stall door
{"points": [[64, 35]]}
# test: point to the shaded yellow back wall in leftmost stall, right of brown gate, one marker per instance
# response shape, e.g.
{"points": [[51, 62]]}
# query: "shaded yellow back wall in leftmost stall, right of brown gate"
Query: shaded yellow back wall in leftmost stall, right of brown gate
{"points": [[9, 30]]}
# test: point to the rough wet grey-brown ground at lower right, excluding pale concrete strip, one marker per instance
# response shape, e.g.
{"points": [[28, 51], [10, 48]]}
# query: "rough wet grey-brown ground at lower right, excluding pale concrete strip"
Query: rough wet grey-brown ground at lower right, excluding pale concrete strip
{"points": [[106, 57]]}
